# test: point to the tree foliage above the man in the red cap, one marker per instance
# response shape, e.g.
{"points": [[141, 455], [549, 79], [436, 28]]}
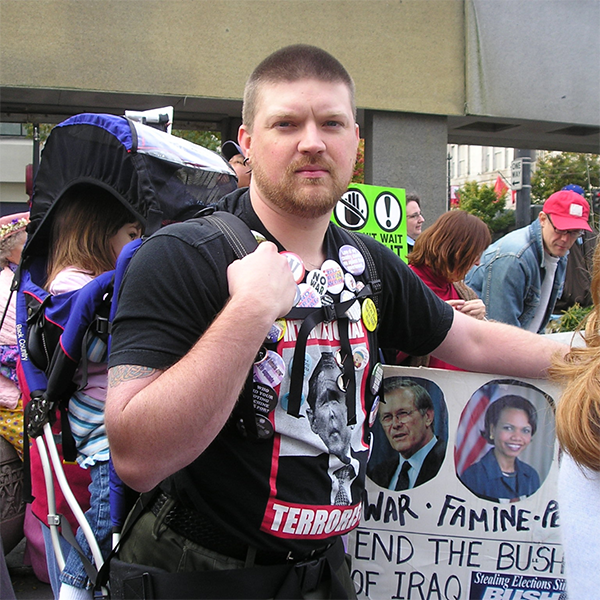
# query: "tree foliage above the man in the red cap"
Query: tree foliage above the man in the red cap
{"points": [[557, 170]]}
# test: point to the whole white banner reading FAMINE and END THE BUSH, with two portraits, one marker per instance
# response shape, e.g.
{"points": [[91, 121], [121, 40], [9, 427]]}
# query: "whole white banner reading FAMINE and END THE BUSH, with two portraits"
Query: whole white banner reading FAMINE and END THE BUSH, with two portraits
{"points": [[479, 520]]}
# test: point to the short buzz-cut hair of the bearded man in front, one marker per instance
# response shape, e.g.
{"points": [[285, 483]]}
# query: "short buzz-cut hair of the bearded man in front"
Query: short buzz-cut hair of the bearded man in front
{"points": [[292, 63]]}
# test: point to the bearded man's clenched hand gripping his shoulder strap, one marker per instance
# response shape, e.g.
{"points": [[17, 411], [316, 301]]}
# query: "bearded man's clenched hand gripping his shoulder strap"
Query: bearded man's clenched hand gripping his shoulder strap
{"points": [[264, 277]]}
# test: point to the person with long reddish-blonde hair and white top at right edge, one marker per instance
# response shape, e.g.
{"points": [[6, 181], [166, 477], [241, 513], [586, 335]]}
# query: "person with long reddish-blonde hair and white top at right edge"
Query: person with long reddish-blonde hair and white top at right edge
{"points": [[578, 432]]}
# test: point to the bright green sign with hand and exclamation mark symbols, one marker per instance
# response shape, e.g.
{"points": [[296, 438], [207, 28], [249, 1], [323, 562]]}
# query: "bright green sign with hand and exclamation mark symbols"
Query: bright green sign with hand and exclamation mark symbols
{"points": [[376, 211]]}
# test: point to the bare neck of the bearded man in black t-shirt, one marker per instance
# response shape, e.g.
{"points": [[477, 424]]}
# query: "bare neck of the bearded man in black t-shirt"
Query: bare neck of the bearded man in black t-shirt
{"points": [[303, 236]]}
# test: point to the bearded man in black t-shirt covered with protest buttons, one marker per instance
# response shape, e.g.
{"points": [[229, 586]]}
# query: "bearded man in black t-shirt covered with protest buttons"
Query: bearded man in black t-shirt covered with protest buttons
{"points": [[243, 479]]}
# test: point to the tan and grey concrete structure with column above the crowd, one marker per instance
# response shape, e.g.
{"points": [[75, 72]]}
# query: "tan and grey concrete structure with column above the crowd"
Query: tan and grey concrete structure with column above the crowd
{"points": [[428, 72]]}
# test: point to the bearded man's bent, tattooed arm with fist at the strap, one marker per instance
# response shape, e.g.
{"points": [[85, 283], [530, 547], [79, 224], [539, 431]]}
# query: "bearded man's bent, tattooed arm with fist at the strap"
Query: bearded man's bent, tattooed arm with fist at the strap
{"points": [[160, 421]]}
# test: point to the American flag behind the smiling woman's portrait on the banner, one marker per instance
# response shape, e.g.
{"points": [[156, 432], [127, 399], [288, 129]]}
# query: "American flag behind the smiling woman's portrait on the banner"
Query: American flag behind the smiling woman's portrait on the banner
{"points": [[470, 446]]}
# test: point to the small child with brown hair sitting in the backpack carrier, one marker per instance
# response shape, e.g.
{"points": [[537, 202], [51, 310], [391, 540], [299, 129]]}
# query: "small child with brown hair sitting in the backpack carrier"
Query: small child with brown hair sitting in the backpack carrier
{"points": [[90, 229]]}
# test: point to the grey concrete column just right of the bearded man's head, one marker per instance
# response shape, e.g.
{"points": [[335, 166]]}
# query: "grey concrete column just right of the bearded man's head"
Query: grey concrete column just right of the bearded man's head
{"points": [[409, 151]]}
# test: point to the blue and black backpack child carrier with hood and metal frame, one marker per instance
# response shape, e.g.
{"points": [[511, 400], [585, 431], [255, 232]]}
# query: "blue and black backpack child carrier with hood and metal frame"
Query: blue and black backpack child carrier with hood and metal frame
{"points": [[160, 179]]}
